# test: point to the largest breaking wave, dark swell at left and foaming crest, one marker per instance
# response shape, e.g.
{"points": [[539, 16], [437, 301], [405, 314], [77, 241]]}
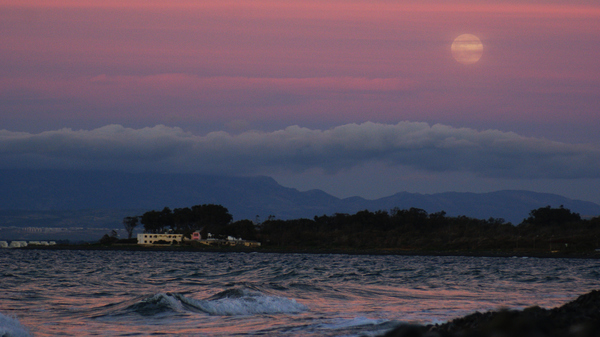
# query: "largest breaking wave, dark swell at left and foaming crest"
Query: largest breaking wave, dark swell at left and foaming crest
{"points": [[232, 302]]}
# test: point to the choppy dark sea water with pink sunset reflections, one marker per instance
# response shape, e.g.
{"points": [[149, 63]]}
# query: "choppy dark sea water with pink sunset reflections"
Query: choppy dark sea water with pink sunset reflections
{"points": [[135, 293]]}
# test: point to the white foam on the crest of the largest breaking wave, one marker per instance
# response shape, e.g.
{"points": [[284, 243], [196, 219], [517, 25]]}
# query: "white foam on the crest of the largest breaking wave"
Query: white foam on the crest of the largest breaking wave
{"points": [[248, 303]]}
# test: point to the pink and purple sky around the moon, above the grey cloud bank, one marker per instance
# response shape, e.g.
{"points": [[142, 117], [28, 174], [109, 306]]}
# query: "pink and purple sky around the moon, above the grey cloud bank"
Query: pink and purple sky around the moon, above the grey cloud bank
{"points": [[265, 65]]}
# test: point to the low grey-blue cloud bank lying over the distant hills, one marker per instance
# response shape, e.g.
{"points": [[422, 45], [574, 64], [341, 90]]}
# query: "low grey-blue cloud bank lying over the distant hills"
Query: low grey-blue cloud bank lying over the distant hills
{"points": [[437, 148]]}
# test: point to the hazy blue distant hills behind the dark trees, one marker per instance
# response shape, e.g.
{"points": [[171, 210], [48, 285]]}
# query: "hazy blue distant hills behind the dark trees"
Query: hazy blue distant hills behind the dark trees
{"points": [[245, 197]]}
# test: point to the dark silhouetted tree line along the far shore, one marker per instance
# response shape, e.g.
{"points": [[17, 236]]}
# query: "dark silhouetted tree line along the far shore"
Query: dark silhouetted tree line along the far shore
{"points": [[546, 228]]}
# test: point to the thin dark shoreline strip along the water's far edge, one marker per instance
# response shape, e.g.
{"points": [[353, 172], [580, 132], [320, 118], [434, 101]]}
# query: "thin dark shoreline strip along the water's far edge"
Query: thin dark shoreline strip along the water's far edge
{"points": [[297, 250]]}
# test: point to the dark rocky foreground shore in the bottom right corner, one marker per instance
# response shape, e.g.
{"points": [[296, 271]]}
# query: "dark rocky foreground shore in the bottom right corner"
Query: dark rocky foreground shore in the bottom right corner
{"points": [[579, 318]]}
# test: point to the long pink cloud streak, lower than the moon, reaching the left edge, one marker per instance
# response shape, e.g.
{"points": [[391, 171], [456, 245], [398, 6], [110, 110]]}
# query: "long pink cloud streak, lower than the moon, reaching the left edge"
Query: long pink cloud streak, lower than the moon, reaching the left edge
{"points": [[127, 90]]}
